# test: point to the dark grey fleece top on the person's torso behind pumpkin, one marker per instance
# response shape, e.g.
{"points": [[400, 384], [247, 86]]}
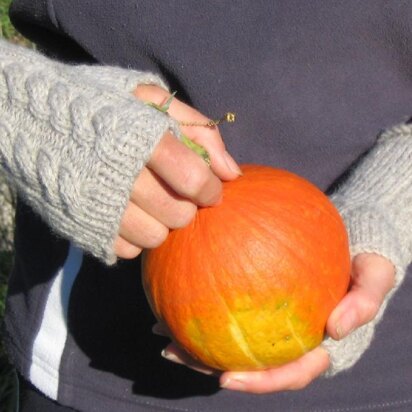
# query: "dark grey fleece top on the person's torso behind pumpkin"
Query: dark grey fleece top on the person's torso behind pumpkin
{"points": [[312, 85]]}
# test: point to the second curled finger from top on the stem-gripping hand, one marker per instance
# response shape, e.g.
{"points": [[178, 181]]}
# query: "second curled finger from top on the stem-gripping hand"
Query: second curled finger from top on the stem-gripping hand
{"points": [[170, 209]]}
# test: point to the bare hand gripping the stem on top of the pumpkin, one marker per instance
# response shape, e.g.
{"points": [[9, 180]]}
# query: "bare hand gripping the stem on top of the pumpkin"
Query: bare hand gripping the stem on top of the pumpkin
{"points": [[174, 182]]}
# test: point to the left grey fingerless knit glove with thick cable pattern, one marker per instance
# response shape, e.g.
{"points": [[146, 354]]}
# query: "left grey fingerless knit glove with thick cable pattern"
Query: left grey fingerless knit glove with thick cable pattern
{"points": [[73, 140]]}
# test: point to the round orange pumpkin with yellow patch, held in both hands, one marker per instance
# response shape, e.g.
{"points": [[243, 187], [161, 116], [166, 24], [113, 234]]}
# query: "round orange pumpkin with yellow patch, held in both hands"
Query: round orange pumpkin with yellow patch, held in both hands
{"points": [[250, 283]]}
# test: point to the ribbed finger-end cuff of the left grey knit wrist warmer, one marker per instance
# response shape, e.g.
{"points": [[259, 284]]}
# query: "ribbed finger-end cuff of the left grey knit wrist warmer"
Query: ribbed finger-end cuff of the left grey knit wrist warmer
{"points": [[127, 139]]}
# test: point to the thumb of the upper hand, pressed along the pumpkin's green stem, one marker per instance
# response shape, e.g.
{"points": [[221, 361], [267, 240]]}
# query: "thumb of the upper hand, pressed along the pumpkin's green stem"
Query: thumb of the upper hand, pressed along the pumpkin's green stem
{"points": [[222, 164]]}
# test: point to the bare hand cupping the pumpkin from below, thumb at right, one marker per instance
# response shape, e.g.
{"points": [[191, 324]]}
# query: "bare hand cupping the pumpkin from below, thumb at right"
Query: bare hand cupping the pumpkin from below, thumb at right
{"points": [[372, 279]]}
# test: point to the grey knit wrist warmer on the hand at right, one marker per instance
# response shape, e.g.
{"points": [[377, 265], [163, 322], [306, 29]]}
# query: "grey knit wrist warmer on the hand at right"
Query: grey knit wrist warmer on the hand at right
{"points": [[376, 205]]}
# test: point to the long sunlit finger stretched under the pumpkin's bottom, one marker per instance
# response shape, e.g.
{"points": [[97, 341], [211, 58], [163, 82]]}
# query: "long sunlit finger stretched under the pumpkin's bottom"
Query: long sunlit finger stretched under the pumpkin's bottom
{"points": [[292, 376]]}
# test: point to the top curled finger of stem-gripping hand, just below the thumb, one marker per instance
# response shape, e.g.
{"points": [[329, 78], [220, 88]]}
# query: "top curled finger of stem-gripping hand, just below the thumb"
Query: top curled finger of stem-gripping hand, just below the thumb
{"points": [[185, 172]]}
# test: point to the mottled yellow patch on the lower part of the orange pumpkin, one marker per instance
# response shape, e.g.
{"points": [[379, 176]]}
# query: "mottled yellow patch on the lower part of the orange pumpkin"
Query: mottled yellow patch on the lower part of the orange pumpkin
{"points": [[265, 336]]}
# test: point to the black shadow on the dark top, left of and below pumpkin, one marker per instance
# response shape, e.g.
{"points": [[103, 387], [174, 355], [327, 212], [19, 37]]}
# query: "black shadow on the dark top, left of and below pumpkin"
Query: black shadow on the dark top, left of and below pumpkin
{"points": [[111, 324]]}
